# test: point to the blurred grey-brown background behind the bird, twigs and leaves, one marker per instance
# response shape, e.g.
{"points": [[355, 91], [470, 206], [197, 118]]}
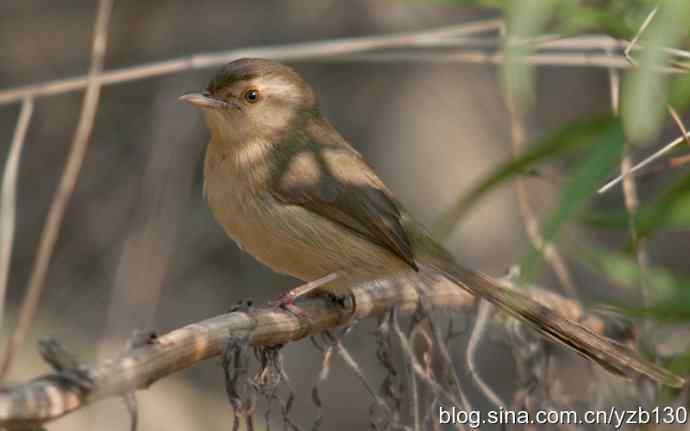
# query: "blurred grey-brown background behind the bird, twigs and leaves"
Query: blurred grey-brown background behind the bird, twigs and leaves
{"points": [[140, 249]]}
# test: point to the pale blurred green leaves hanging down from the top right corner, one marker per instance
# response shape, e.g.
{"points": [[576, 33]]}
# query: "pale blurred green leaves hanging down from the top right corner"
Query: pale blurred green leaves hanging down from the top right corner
{"points": [[645, 91]]}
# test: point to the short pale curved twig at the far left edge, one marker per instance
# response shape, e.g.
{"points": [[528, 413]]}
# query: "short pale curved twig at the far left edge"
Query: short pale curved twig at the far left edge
{"points": [[8, 210]]}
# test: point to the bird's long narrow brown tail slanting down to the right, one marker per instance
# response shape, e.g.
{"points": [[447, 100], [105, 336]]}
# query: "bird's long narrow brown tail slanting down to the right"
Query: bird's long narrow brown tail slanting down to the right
{"points": [[609, 354]]}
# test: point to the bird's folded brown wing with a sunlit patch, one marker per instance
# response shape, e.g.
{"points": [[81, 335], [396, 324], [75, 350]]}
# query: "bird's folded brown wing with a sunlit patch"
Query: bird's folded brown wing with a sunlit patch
{"points": [[329, 178]]}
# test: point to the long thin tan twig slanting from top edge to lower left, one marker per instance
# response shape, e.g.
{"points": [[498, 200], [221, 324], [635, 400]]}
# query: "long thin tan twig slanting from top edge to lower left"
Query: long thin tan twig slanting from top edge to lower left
{"points": [[69, 177]]}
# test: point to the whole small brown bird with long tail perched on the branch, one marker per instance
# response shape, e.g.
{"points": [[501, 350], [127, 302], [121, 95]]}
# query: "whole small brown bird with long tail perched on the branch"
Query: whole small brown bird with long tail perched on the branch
{"points": [[290, 190]]}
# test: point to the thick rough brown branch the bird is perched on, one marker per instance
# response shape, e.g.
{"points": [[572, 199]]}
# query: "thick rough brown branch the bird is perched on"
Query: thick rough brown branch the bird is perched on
{"points": [[51, 396]]}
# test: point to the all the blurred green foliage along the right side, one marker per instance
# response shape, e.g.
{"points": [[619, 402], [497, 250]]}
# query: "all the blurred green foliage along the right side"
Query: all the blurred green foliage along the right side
{"points": [[647, 90]]}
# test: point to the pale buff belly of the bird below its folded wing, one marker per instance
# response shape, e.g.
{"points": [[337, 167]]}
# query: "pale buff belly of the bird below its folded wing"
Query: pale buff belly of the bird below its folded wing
{"points": [[292, 240]]}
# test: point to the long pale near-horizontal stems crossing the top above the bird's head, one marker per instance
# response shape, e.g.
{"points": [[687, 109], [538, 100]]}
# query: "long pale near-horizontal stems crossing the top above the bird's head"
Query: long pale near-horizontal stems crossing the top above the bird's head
{"points": [[343, 50]]}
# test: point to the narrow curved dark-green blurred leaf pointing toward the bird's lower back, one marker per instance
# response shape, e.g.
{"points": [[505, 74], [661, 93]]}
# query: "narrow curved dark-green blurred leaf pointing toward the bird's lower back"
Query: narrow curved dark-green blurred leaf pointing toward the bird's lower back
{"points": [[577, 136]]}
